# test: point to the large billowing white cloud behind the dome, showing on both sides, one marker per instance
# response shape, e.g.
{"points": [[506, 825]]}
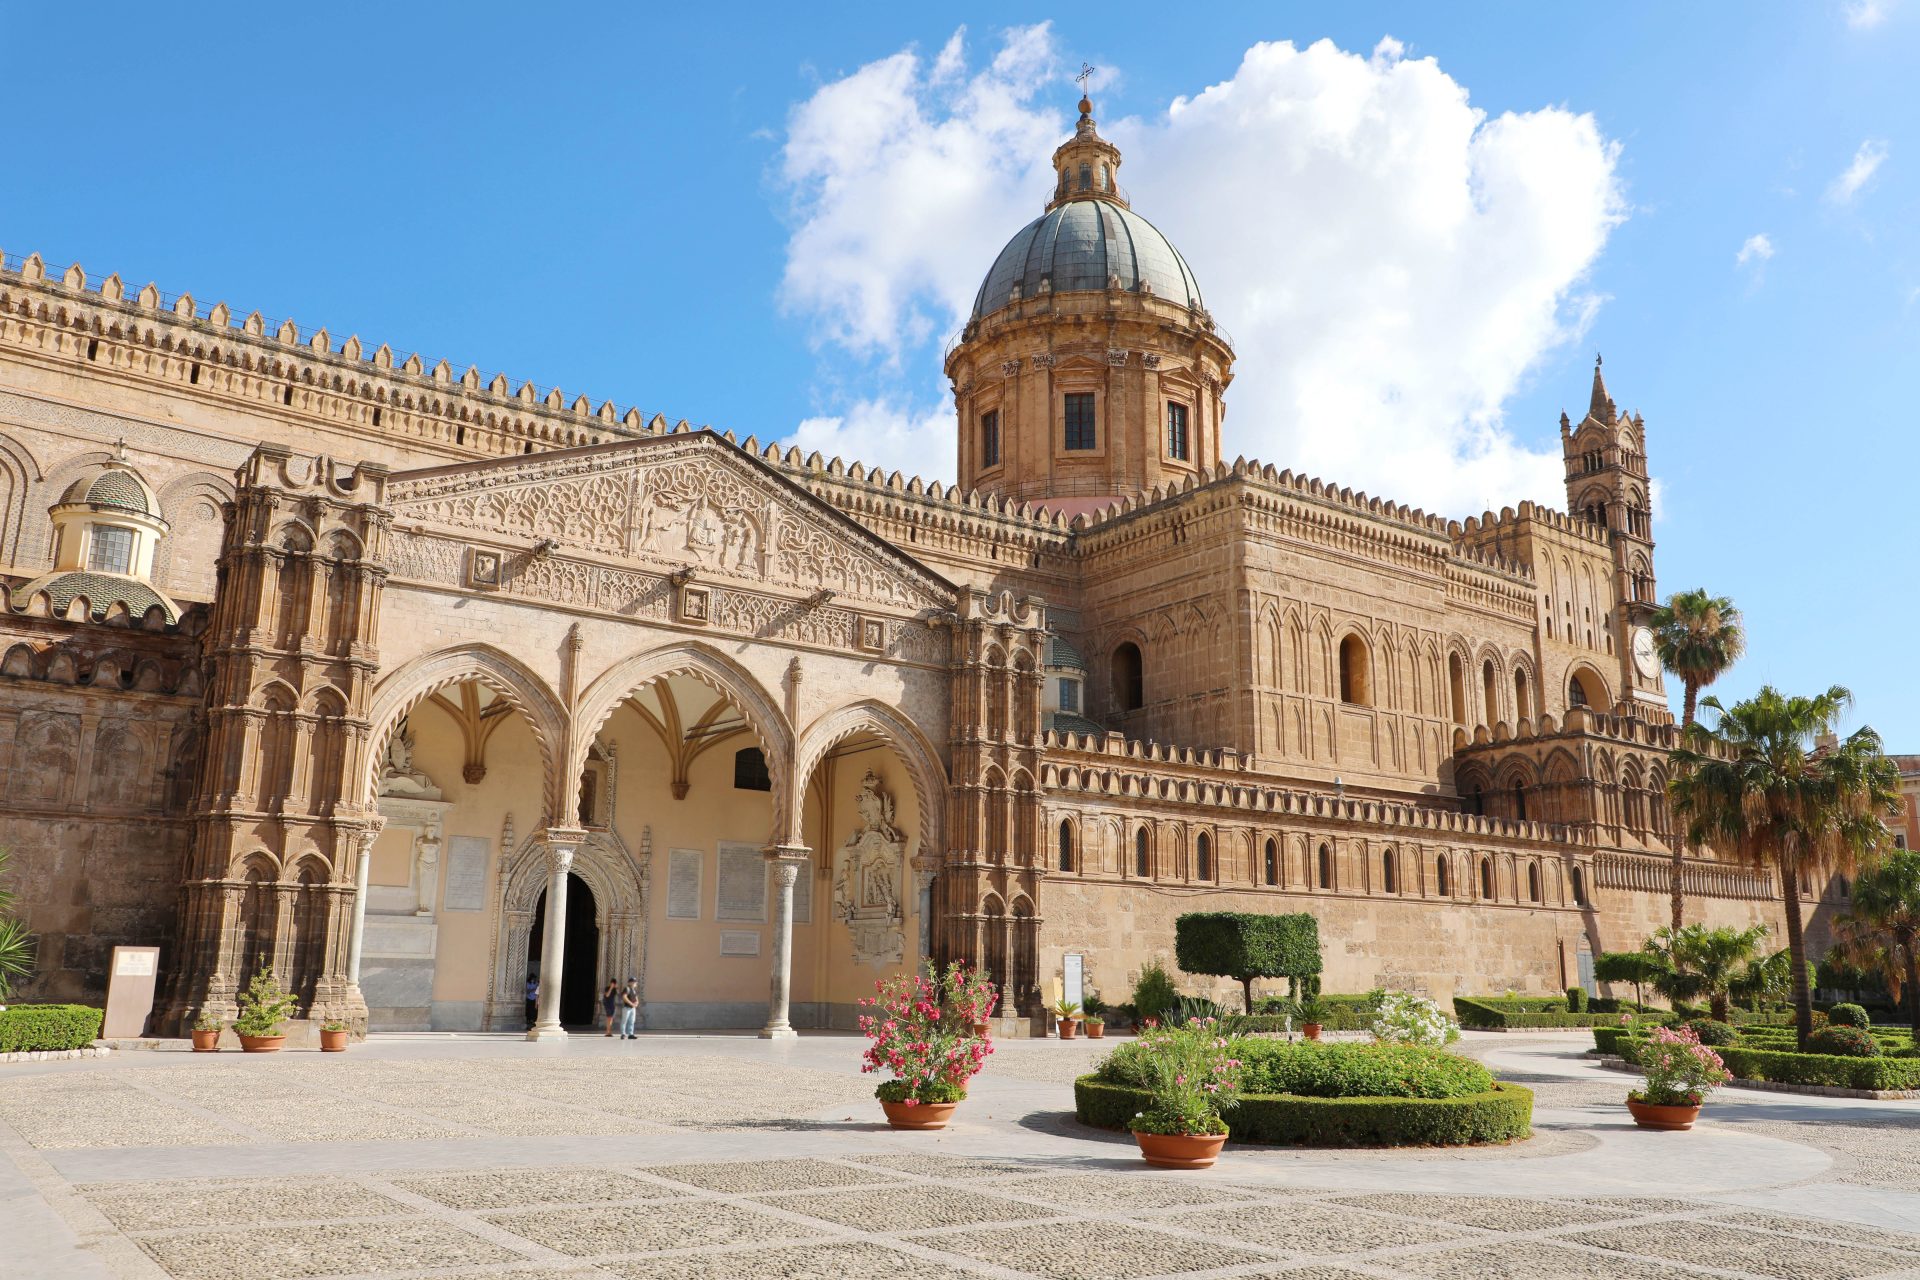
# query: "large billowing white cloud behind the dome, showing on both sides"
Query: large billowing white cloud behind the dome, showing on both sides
{"points": [[1389, 260]]}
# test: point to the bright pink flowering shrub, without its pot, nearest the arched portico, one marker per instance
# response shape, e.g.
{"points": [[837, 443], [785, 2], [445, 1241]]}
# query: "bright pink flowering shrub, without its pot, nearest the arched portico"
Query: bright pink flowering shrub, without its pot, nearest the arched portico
{"points": [[923, 1031]]}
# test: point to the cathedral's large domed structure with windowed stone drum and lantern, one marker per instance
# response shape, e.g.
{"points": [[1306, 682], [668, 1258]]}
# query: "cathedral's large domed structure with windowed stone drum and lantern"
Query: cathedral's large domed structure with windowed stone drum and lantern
{"points": [[1090, 369]]}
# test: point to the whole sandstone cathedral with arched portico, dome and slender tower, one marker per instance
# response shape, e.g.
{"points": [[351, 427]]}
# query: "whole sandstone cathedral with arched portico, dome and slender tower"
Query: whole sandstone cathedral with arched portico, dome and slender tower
{"points": [[450, 701]]}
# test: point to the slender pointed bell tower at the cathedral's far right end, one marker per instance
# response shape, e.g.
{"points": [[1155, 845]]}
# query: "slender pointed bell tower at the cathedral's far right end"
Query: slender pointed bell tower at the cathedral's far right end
{"points": [[1608, 485]]}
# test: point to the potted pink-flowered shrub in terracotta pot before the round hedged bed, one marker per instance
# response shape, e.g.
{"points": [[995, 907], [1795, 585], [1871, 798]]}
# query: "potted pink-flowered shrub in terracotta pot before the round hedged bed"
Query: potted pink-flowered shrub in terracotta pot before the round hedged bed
{"points": [[1191, 1079]]}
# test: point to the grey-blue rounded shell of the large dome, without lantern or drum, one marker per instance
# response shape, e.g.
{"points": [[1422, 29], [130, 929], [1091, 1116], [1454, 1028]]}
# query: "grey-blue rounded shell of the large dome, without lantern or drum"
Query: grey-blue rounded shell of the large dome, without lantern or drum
{"points": [[1084, 245]]}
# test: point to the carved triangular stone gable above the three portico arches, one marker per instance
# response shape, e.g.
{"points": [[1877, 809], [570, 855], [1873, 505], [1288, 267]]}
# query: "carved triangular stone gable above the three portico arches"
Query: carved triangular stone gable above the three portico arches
{"points": [[675, 502]]}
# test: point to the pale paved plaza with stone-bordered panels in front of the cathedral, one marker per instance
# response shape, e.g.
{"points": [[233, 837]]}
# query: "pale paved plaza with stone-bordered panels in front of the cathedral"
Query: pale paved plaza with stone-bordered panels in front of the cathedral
{"points": [[677, 1158]]}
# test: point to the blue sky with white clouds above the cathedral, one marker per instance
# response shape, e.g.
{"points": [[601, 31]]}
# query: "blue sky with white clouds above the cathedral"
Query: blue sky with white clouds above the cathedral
{"points": [[1420, 224]]}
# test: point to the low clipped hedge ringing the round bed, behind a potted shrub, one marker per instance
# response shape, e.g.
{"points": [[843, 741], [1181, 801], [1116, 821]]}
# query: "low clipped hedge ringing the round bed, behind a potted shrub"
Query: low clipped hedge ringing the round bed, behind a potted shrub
{"points": [[1502, 1114]]}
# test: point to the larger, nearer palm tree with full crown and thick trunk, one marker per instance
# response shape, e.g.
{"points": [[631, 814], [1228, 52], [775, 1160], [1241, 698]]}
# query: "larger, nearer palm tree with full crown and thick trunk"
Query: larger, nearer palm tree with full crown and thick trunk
{"points": [[1758, 788]]}
